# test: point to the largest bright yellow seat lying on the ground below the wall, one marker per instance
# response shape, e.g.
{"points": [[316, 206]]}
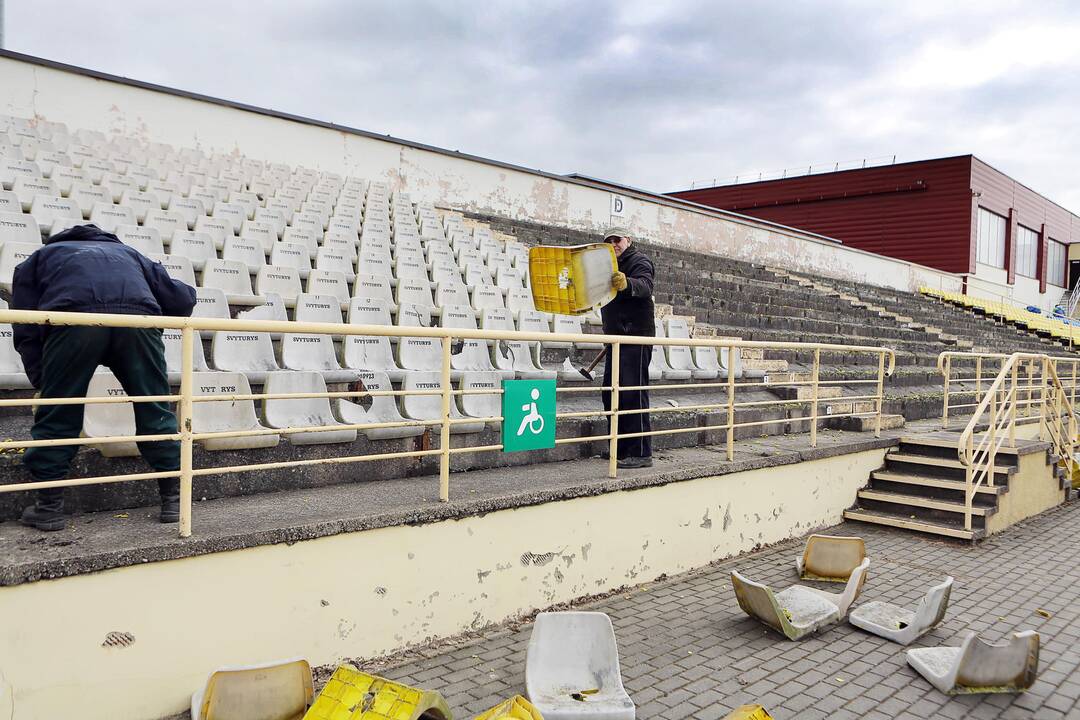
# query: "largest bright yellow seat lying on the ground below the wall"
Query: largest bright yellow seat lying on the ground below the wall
{"points": [[355, 696]]}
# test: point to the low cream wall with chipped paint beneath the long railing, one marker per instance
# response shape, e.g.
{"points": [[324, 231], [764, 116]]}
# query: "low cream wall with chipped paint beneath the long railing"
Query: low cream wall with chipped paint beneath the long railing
{"points": [[366, 594]]}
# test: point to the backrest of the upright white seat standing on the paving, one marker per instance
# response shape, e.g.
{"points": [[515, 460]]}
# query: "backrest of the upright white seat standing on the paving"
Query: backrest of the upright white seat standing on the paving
{"points": [[572, 650]]}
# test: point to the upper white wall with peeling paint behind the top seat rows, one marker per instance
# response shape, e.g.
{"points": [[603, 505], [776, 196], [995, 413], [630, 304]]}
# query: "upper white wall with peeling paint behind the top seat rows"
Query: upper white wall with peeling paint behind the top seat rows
{"points": [[444, 179]]}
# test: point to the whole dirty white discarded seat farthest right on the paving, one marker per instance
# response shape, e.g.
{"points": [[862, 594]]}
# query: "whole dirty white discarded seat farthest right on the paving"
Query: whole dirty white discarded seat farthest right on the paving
{"points": [[978, 667]]}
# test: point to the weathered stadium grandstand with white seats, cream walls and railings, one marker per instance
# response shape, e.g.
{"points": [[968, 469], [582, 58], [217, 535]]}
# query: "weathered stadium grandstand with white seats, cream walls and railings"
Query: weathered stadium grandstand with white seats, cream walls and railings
{"points": [[361, 300]]}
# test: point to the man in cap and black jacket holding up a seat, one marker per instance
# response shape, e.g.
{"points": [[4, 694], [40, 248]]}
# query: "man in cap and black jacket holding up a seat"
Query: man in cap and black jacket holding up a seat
{"points": [[631, 313]]}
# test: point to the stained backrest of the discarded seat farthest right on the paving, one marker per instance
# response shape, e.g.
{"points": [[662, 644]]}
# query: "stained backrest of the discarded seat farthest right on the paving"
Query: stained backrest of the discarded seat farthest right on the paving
{"points": [[1010, 667]]}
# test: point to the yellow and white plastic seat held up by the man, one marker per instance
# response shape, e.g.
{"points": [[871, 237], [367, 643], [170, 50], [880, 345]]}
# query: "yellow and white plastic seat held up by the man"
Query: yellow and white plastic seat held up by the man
{"points": [[572, 281]]}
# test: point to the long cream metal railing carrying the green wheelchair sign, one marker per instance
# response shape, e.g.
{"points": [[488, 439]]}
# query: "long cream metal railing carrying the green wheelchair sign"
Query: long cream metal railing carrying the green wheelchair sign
{"points": [[185, 398]]}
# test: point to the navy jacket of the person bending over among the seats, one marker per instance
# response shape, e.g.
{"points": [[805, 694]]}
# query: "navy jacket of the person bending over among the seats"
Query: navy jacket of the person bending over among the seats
{"points": [[85, 269]]}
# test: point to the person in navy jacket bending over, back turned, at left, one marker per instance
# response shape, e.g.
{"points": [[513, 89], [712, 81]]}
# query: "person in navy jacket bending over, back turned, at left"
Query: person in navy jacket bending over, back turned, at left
{"points": [[87, 270]]}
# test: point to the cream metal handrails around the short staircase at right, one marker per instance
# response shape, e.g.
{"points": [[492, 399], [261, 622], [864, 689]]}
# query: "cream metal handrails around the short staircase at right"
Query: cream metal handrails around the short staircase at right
{"points": [[1024, 385]]}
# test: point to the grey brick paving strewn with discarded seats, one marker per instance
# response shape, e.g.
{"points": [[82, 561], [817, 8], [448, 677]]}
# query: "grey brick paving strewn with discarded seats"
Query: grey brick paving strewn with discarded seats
{"points": [[688, 651]]}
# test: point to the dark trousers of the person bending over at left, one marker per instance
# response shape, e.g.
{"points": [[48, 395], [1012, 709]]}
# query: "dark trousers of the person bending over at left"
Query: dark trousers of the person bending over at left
{"points": [[70, 359]]}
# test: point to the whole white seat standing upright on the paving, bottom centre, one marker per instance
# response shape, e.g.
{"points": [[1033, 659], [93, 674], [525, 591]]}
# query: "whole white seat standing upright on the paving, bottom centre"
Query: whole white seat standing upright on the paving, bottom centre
{"points": [[572, 669]]}
